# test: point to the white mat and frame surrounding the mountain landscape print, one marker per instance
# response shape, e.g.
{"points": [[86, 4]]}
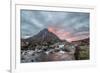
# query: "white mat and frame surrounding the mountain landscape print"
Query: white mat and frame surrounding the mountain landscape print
{"points": [[17, 67]]}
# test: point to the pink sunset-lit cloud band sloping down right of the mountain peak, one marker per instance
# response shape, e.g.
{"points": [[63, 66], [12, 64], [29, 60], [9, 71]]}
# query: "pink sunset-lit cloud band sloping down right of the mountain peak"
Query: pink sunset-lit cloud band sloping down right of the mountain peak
{"points": [[65, 35]]}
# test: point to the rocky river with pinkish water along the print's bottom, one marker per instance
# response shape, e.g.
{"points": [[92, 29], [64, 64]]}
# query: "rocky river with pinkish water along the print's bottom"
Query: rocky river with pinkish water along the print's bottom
{"points": [[46, 55]]}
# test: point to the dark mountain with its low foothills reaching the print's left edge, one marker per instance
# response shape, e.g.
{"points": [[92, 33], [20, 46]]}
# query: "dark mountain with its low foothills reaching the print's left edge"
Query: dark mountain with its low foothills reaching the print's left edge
{"points": [[44, 37]]}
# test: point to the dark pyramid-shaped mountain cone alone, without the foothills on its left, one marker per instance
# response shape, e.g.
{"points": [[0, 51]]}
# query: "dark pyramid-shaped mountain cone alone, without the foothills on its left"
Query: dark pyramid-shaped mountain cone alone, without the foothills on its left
{"points": [[45, 36]]}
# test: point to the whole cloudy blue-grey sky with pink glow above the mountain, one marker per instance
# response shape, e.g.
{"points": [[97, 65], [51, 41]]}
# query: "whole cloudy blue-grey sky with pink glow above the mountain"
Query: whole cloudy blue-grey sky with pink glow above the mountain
{"points": [[68, 26]]}
